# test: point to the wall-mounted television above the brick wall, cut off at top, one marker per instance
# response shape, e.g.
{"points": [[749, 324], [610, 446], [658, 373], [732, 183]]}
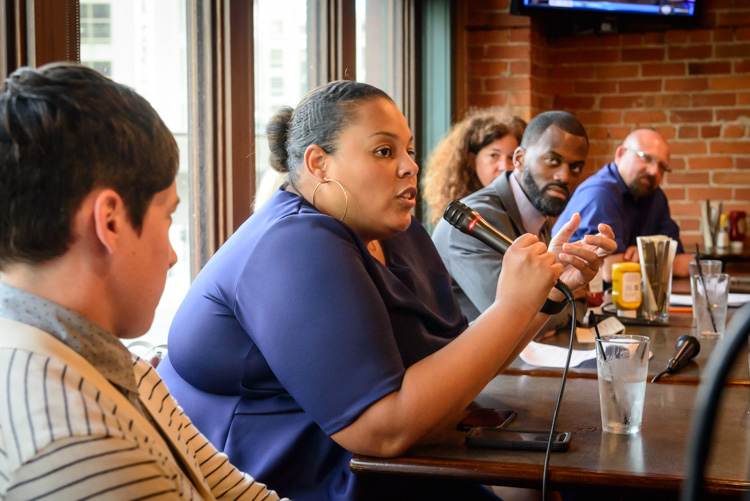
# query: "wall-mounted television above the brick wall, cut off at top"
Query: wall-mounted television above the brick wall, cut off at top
{"points": [[665, 12]]}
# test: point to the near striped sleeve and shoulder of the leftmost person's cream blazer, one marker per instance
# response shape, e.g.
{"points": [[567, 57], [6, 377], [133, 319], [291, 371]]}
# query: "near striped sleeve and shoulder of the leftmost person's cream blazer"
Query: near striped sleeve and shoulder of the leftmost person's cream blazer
{"points": [[63, 439]]}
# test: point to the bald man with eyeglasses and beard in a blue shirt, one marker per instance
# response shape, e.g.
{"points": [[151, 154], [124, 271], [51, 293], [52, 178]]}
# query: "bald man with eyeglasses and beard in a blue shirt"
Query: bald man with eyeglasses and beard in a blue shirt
{"points": [[625, 194]]}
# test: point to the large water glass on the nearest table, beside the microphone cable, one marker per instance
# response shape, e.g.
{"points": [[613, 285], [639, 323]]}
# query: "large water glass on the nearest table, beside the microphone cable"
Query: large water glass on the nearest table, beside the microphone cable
{"points": [[622, 369]]}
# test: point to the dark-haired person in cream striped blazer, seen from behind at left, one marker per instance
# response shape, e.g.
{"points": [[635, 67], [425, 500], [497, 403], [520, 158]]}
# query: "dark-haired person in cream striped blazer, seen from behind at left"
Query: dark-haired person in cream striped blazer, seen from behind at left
{"points": [[87, 191]]}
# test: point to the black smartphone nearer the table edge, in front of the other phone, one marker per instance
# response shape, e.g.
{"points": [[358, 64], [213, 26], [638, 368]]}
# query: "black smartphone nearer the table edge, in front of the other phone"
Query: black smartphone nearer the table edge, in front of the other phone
{"points": [[529, 440]]}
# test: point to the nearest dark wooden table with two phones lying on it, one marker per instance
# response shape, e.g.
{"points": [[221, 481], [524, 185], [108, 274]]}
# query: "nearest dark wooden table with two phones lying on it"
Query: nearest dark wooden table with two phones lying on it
{"points": [[650, 464]]}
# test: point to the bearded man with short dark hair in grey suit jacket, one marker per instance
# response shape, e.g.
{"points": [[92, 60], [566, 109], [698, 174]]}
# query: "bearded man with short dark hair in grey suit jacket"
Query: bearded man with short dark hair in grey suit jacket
{"points": [[548, 166]]}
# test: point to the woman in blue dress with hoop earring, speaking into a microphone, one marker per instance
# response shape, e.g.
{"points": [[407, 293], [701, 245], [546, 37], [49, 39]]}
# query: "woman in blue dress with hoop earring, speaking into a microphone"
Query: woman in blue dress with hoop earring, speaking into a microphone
{"points": [[326, 326]]}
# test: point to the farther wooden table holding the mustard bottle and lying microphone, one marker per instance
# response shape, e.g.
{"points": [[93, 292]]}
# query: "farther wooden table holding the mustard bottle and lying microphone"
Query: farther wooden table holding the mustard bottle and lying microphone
{"points": [[662, 346]]}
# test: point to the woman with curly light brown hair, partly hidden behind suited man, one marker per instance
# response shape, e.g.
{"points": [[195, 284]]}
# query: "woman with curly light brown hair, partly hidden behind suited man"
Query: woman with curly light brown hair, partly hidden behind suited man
{"points": [[475, 152]]}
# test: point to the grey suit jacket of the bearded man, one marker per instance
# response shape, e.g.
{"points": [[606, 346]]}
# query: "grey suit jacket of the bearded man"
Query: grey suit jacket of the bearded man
{"points": [[474, 267]]}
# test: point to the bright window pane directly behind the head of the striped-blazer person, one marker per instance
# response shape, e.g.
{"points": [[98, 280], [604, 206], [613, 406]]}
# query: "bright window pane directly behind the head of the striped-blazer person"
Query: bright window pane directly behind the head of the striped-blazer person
{"points": [[147, 51]]}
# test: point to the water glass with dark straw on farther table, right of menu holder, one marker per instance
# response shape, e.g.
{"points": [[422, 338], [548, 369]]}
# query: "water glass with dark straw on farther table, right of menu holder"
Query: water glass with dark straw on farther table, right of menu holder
{"points": [[710, 305]]}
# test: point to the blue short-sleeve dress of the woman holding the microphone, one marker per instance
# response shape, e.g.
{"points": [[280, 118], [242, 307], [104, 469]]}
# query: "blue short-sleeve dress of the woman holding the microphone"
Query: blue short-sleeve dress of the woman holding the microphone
{"points": [[292, 330]]}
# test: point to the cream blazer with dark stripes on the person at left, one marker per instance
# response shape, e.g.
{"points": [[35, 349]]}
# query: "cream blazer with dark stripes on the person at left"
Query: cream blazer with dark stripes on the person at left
{"points": [[64, 437]]}
